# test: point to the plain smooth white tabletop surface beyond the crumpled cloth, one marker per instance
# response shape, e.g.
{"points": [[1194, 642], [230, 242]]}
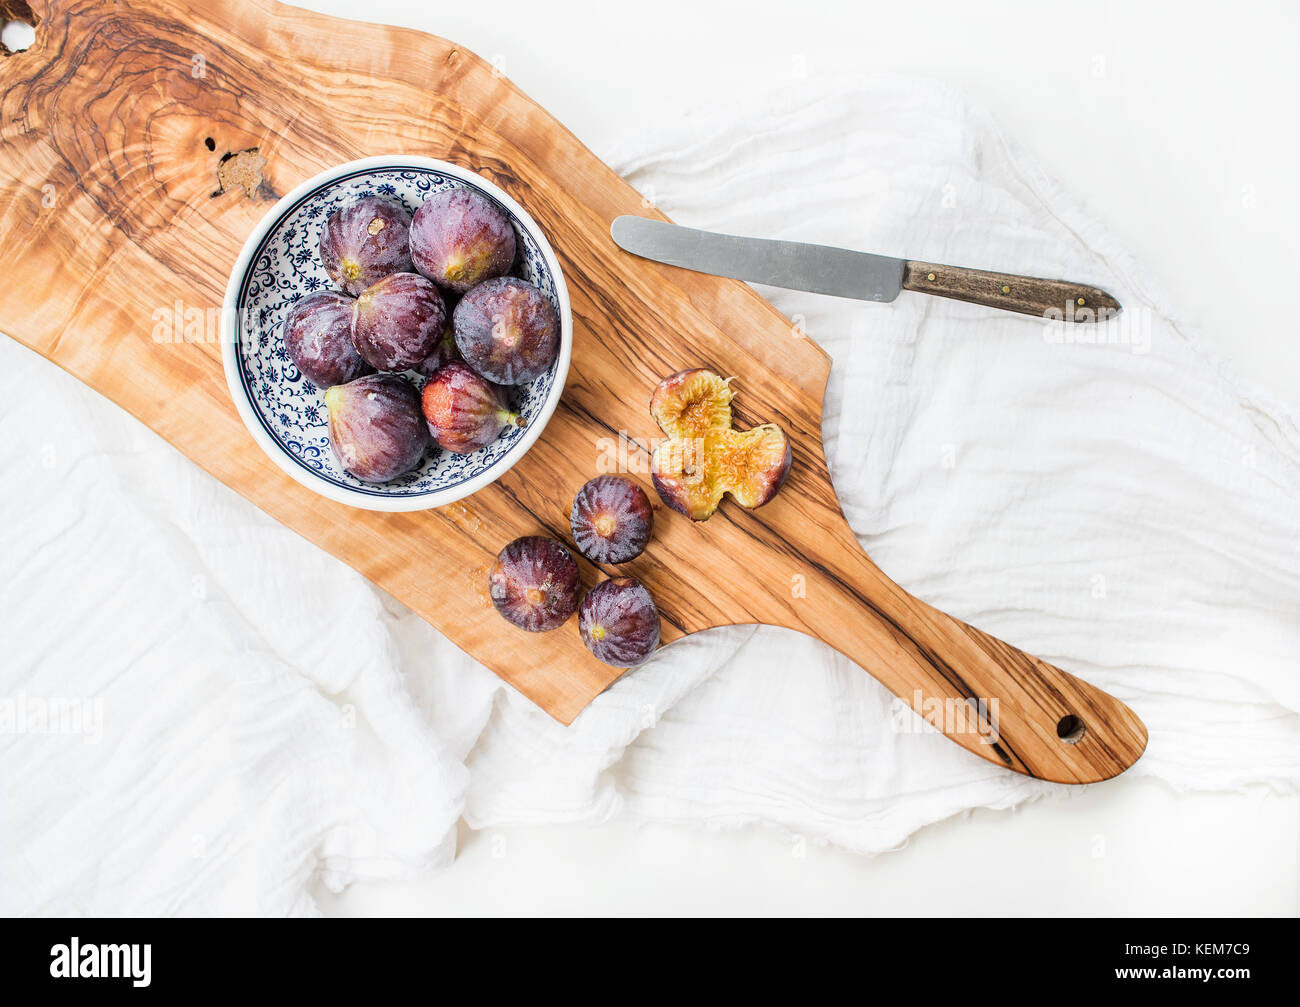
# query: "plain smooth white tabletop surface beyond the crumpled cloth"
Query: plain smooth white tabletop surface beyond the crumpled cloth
{"points": [[1176, 123]]}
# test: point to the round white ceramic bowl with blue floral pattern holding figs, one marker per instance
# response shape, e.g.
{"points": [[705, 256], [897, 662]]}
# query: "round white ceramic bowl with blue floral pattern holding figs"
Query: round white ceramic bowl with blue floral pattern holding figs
{"points": [[285, 413]]}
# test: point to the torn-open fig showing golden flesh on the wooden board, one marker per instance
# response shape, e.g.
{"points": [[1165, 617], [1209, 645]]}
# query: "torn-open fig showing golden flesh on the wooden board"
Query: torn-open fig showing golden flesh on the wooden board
{"points": [[704, 457]]}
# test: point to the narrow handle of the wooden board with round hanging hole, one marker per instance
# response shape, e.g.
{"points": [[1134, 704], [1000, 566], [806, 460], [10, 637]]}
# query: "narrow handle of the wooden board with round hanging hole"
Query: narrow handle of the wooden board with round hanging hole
{"points": [[991, 698]]}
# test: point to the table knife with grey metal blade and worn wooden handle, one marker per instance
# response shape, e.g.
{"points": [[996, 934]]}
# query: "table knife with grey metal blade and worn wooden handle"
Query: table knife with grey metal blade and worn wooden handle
{"points": [[864, 276]]}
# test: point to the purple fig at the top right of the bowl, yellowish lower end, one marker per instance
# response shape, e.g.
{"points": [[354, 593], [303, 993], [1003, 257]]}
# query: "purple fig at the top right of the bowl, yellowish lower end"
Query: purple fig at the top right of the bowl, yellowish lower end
{"points": [[461, 238]]}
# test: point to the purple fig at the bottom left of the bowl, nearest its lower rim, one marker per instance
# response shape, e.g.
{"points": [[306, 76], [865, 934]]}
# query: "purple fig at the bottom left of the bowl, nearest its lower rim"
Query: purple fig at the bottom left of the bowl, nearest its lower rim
{"points": [[376, 428]]}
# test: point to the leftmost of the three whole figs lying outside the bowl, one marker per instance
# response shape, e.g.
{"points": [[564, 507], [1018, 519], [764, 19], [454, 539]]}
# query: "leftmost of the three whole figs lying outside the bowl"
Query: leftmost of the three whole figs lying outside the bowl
{"points": [[535, 584]]}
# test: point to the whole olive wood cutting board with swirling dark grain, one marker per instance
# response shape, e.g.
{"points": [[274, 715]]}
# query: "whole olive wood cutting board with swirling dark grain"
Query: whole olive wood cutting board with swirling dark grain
{"points": [[115, 125]]}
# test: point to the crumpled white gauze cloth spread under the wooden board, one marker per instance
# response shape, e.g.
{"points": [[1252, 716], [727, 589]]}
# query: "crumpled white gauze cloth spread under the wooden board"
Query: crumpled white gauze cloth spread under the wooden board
{"points": [[1129, 511]]}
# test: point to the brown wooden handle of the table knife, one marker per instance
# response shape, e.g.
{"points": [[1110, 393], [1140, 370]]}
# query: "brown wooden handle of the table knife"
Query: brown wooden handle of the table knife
{"points": [[1028, 296]]}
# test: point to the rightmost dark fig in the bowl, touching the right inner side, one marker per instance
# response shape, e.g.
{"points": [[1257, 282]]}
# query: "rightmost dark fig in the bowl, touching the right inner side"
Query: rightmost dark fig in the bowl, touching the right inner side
{"points": [[508, 331]]}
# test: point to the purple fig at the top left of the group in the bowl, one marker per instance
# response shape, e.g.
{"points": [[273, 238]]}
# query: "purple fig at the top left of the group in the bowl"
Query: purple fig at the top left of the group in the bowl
{"points": [[365, 242]]}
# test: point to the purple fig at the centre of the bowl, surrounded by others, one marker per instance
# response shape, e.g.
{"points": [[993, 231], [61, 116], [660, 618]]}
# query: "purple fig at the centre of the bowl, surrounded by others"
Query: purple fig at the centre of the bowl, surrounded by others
{"points": [[398, 322]]}
